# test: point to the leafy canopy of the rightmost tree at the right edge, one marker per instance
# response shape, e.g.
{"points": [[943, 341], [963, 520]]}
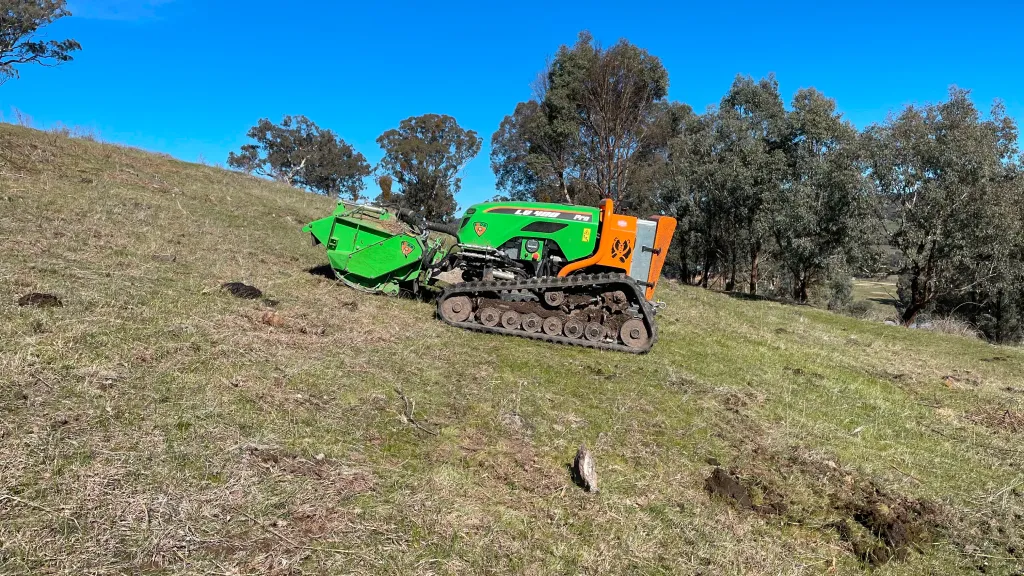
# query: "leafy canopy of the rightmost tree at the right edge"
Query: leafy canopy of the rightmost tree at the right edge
{"points": [[946, 190]]}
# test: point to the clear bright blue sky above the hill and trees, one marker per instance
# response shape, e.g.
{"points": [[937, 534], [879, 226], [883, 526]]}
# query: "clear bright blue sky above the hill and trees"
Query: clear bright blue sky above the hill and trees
{"points": [[190, 77]]}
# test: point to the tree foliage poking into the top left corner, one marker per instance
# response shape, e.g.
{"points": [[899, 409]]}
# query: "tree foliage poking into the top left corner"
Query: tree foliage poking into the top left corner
{"points": [[21, 22]]}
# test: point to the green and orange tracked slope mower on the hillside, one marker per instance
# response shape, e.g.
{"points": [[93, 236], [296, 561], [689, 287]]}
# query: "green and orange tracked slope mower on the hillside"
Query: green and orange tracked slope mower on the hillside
{"points": [[573, 275]]}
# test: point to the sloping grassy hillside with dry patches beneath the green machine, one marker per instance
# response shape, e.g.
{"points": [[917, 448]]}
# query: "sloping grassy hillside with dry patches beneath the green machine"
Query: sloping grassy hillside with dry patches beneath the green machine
{"points": [[157, 424]]}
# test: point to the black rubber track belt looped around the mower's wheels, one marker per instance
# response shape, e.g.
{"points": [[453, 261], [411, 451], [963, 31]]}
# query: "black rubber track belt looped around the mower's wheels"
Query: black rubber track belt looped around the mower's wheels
{"points": [[621, 281]]}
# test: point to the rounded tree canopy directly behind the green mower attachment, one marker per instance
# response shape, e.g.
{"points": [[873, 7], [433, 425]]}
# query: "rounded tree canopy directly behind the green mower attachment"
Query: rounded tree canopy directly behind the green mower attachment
{"points": [[424, 156]]}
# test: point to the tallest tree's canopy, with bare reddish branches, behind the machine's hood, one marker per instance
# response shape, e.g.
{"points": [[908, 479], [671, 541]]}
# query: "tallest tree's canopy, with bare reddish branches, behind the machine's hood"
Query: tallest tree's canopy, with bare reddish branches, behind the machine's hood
{"points": [[579, 140]]}
